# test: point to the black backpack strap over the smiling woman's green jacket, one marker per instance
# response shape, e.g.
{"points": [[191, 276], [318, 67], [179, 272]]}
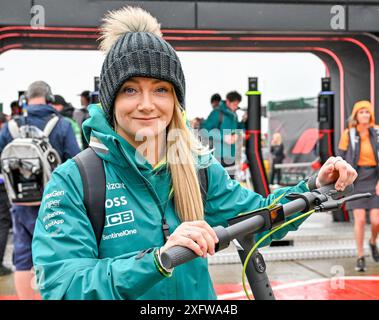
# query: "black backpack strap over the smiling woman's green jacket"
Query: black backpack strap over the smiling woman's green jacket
{"points": [[93, 177]]}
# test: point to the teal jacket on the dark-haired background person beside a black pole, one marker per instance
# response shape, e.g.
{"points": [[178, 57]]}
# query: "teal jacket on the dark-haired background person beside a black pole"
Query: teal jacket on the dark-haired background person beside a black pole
{"points": [[228, 126]]}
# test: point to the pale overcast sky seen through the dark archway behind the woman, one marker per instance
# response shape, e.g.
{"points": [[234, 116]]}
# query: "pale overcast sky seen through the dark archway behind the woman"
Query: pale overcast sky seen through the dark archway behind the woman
{"points": [[281, 75]]}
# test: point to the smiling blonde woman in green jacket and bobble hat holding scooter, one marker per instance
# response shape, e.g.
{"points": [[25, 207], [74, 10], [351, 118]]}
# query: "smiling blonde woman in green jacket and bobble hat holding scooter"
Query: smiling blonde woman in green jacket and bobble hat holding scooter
{"points": [[151, 160]]}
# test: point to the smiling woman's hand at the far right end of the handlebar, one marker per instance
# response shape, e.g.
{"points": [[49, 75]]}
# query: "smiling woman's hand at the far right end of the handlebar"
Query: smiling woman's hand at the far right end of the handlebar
{"points": [[337, 170]]}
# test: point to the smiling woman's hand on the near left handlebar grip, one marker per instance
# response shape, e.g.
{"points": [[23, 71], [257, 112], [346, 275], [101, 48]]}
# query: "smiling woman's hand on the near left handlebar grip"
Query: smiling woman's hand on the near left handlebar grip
{"points": [[195, 235]]}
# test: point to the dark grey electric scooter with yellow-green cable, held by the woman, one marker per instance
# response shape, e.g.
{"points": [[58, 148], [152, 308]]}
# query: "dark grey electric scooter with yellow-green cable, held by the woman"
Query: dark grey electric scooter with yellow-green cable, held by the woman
{"points": [[242, 229]]}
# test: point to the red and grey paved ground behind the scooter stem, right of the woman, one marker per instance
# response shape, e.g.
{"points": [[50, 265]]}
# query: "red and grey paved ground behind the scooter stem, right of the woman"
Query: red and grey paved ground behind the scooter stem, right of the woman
{"points": [[321, 279]]}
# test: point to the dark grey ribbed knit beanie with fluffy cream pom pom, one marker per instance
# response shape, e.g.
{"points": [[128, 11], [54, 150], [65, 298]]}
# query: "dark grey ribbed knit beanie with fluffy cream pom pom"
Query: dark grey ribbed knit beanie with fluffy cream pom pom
{"points": [[135, 47]]}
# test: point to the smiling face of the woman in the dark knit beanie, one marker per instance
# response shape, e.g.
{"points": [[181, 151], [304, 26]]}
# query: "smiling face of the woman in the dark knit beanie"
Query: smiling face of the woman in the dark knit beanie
{"points": [[143, 108]]}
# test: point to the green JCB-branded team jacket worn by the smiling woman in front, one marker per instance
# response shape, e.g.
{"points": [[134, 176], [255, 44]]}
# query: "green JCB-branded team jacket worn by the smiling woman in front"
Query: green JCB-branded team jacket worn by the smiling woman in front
{"points": [[67, 260]]}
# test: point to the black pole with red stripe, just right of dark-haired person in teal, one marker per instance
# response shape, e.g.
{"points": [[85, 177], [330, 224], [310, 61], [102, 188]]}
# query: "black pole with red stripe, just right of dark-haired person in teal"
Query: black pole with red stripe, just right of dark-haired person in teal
{"points": [[253, 139]]}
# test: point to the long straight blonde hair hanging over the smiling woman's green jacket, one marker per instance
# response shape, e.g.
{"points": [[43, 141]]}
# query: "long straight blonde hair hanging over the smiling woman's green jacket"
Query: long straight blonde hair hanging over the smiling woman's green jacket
{"points": [[183, 150]]}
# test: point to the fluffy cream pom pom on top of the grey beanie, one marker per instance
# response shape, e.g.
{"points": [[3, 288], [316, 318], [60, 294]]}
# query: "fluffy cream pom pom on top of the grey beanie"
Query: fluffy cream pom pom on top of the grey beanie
{"points": [[128, 19]]}
